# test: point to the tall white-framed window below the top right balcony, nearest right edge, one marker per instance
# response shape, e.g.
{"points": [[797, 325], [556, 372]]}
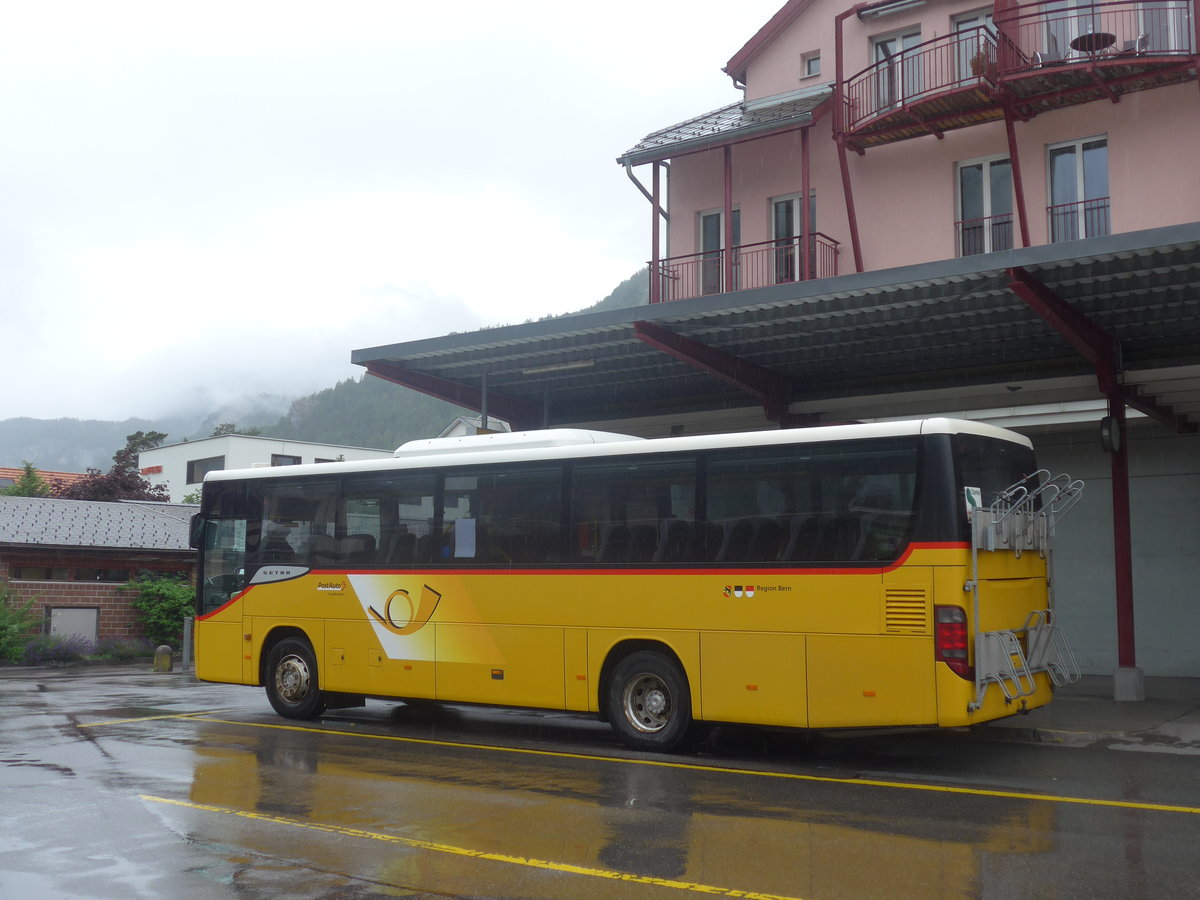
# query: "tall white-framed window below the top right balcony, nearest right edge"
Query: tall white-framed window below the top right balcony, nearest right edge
{"points": [[1079, 190]]}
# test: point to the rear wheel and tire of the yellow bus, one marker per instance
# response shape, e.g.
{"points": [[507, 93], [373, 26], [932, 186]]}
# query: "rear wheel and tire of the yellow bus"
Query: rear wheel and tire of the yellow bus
{"points": [[650, 703]]}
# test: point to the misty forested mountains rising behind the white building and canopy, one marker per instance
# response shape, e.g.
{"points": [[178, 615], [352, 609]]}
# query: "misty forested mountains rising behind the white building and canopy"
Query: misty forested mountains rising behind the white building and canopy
{"points": [[365, 412]]}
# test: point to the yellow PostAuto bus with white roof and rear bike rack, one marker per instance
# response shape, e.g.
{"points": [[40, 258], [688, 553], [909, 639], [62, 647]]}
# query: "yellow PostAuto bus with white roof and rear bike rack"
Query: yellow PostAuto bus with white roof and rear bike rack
{"points": [[889, 574]]}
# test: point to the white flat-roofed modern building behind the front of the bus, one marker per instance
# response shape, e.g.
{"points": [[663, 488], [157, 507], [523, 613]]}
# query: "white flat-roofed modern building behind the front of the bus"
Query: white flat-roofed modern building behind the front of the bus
{"points": [[183, 466]]}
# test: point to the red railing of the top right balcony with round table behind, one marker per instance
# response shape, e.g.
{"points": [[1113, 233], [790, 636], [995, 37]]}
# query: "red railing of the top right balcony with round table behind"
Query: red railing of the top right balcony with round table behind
{"points": [[1047, 34]]}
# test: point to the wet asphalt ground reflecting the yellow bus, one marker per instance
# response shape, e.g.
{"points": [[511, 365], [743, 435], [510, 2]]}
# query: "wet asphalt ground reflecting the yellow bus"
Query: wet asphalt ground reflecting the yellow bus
{"points": [[121, 785]]}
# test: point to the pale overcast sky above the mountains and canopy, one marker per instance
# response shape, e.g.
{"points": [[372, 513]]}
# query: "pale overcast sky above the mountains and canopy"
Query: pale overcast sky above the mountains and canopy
{"points": [[200, 201]]}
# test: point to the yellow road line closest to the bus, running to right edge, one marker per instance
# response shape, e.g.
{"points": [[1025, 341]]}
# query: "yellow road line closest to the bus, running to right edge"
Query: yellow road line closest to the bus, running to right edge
{"points": [[731, 771]]}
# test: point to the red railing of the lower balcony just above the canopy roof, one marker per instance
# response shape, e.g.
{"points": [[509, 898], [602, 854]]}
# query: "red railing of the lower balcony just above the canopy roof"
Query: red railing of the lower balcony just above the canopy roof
{"points": [[755, 266]]}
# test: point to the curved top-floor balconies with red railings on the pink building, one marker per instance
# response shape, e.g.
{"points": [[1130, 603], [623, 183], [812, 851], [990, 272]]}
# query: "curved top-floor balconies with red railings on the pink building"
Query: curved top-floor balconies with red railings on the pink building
{"points": [[1039, 58]]}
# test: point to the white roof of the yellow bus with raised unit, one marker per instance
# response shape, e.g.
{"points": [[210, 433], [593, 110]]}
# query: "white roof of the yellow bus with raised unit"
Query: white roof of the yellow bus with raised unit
{"points": [[578, 443]]}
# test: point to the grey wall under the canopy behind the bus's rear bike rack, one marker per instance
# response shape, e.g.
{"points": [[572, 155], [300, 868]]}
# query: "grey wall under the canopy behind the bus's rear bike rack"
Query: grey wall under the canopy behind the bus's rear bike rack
{"points": [[1165, 490]]}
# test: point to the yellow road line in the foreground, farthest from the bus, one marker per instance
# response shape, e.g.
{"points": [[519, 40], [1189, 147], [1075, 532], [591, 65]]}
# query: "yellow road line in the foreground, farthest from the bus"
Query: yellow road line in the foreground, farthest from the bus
{"points": [[566, 868]]}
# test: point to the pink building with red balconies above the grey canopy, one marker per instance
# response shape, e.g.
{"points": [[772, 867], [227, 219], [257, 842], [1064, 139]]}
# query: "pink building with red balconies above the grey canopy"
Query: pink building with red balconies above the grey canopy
{"points": [[908, 131]]}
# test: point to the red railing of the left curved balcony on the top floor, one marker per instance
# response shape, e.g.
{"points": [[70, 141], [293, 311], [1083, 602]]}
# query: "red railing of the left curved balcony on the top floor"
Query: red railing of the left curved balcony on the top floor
{"points": [[963, 59]]}
